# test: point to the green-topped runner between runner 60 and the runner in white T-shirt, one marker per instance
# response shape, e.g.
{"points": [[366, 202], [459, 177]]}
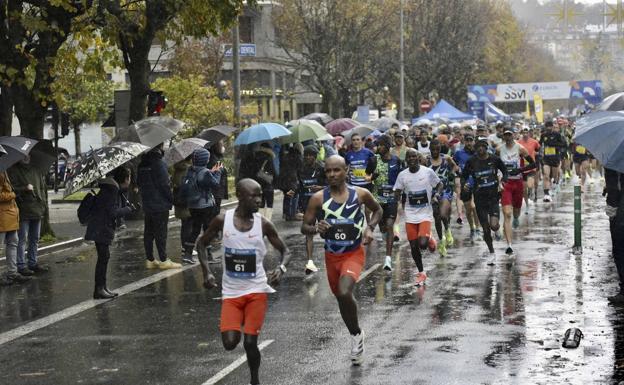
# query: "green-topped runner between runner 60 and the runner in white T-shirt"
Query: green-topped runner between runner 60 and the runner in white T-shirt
{"points": [[384, 177]]}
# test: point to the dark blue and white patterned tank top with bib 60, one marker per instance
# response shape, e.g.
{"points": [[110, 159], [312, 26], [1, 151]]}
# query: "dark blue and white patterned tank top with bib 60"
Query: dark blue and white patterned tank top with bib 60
{"points": [[347, 221]]}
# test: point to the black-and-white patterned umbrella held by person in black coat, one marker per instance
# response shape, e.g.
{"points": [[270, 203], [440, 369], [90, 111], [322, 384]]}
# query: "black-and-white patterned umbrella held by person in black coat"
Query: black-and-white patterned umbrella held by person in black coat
{"points": [[97, 163]]}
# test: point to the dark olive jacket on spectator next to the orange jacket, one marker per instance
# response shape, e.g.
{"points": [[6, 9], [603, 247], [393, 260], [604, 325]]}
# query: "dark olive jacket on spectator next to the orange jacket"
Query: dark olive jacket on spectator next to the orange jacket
{"points": [[32, 204]]}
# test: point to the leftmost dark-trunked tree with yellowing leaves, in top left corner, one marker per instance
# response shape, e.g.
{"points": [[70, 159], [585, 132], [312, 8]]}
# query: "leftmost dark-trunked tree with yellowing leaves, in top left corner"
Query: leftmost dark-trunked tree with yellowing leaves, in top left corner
{"points": [[31, 33]]}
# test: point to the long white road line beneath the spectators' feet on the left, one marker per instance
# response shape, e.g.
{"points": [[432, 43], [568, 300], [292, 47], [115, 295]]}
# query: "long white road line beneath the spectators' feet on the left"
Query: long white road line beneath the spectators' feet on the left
{"points": [[30, 327]]}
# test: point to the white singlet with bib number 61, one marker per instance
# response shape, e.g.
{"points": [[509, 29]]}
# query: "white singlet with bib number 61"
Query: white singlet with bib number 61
{"points": [[243, 272]]}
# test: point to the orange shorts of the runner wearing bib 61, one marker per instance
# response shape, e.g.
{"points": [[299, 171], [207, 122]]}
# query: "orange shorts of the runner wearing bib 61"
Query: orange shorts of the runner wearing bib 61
{"points": [[247, 311]]}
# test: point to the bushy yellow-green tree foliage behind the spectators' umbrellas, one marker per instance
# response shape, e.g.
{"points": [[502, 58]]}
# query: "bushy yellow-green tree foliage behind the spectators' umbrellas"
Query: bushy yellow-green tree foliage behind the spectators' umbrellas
{"points": [[196, 104]]}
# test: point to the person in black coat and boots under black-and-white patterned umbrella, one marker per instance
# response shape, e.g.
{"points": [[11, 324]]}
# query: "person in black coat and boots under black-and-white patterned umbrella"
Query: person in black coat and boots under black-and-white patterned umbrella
{"points": [[102, 222]]}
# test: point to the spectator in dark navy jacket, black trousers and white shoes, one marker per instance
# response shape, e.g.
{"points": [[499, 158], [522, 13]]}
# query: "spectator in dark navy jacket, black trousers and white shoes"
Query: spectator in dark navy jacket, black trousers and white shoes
{"points": [[157, 199]]}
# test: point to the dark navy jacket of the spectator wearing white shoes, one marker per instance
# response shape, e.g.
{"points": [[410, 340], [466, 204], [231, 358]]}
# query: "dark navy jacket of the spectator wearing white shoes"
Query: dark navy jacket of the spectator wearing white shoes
{"points": [[153, 182]]}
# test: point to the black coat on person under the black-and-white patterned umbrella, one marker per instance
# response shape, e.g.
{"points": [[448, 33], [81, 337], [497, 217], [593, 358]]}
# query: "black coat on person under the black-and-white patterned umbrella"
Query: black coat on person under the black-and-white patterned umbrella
{"points": [[101, 227]]}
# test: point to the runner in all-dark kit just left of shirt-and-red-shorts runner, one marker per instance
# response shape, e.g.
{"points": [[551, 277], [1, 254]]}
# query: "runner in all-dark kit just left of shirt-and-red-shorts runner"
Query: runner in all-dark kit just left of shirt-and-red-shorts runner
{"points": [[483, 169]]}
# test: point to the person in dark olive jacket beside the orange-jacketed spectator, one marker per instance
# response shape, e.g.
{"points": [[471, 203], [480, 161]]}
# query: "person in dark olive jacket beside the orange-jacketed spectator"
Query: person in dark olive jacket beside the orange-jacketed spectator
{"points": [[30, 187]]}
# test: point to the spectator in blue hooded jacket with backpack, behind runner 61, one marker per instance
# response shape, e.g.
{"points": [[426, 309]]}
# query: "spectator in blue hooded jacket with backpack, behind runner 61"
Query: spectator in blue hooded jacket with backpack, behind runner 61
{"points": [[199, 197]]}
